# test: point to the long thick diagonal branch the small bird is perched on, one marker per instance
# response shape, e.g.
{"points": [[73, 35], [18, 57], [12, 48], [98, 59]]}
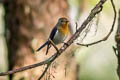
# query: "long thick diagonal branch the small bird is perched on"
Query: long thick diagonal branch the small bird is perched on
{"points": [[93, 13]]}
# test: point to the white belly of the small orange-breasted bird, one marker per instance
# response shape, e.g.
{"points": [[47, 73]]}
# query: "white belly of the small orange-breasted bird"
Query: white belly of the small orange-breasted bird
{"points": [[59, 38]]}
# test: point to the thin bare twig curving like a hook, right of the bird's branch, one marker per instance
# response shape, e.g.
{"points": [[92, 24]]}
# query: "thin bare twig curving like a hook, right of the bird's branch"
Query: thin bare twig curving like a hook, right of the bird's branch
{"points": [[106, 37]]}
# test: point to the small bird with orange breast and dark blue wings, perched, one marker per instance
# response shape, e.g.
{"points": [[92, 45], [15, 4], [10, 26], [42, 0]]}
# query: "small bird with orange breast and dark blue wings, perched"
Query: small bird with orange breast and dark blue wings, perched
{"points": [[58, 33]]}
